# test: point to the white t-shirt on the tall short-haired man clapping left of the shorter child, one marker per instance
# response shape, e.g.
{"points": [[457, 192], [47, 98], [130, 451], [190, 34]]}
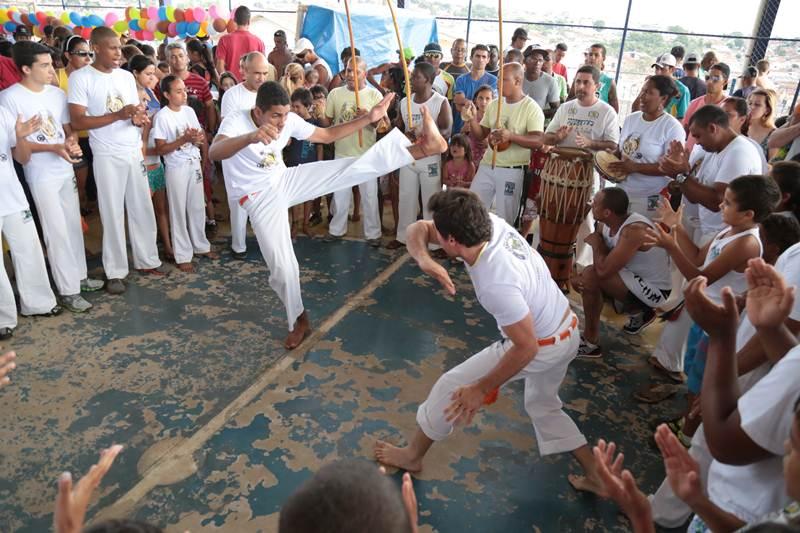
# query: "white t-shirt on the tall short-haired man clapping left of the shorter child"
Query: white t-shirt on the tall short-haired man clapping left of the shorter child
{"points": [[103, 93]]}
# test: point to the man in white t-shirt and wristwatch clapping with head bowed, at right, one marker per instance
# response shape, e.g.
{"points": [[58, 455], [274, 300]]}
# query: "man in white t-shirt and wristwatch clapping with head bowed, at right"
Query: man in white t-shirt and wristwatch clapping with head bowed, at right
{"points": [[719, 157]]}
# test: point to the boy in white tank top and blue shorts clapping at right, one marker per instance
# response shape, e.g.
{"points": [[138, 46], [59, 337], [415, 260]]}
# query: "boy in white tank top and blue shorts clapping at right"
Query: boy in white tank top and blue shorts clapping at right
{"points": [[748, 201]]}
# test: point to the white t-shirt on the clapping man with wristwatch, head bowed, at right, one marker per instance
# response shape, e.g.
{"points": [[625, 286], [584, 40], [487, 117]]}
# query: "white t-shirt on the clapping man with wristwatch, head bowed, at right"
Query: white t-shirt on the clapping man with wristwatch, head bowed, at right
{"points": [[739, 158]]}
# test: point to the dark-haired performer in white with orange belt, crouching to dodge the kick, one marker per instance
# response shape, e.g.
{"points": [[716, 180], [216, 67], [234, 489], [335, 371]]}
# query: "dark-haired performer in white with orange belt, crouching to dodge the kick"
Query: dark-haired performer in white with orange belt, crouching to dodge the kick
{"points": [[540, 334]]}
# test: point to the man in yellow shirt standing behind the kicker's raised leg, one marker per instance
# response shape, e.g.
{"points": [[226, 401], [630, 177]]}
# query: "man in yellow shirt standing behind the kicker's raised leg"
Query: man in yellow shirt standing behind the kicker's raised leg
{"points": [[341, 108]]}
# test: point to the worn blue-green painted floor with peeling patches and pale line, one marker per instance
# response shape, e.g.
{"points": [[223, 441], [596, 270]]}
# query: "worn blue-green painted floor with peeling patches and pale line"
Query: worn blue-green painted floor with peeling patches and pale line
{"points": [[220, 424]]}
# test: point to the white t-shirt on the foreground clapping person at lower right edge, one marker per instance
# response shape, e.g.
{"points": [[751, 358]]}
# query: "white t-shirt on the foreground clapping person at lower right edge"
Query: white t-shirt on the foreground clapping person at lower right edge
{"points": [[766, 412]]}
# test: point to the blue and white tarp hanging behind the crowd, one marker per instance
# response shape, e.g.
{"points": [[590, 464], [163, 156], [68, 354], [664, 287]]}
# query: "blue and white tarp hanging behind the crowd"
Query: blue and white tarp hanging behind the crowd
{"points": [[373, 32]]}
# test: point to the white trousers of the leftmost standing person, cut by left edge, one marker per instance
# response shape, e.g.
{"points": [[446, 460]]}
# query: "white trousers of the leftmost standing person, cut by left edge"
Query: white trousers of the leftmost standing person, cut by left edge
{"points": [[35, 295]]}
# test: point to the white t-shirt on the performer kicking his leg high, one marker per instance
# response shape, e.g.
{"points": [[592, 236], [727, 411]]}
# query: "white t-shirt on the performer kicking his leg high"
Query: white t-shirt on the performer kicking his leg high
{"points": [[252, 168]]}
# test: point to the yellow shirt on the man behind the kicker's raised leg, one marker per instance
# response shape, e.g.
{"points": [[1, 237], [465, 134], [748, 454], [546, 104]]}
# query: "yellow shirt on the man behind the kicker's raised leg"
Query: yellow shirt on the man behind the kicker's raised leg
{"points": [[341, 108]]}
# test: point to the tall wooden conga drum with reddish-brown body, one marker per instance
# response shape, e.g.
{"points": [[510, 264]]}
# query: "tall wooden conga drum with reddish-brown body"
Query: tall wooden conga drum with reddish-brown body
{"points": [[567, 180]]}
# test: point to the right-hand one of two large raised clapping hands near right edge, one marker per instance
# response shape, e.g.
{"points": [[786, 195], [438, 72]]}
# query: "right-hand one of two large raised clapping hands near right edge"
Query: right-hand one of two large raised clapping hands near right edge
{"points": [[769, 299]]}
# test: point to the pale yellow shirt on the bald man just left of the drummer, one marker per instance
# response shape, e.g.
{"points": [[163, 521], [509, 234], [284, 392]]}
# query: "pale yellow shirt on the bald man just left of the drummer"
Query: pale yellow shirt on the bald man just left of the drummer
{"points": [[519, 118]]}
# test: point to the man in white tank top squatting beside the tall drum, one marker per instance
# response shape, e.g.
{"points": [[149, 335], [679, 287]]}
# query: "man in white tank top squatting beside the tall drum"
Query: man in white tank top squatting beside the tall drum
{"points": [[636, 277]]}
